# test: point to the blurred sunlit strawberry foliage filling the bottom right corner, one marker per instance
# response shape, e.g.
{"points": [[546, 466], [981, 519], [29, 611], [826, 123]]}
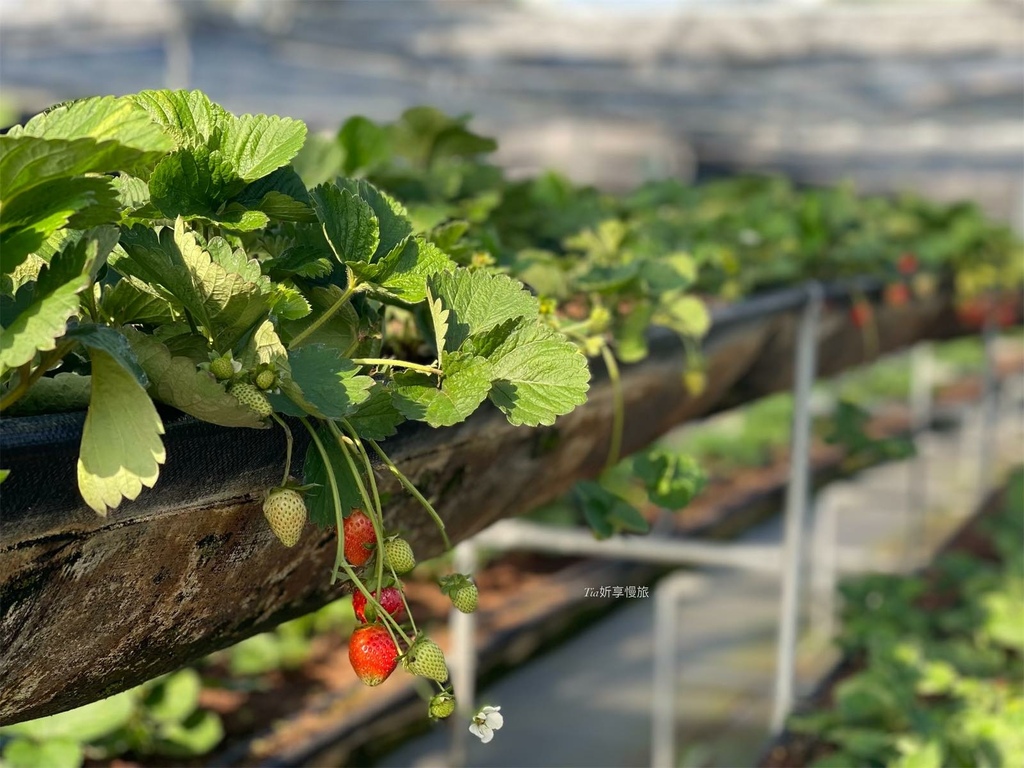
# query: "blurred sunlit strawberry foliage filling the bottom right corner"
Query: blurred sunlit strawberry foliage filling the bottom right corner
{"points": [[933, 688]]}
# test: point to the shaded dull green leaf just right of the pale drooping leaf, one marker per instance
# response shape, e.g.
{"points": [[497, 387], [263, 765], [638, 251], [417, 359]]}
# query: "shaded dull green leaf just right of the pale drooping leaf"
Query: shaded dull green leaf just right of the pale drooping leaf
{"points": [[176, 381]]}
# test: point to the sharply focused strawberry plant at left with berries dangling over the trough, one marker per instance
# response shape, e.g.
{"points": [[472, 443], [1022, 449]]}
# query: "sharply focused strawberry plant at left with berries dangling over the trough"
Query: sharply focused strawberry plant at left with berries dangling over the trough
{"points": [[162, 250]]}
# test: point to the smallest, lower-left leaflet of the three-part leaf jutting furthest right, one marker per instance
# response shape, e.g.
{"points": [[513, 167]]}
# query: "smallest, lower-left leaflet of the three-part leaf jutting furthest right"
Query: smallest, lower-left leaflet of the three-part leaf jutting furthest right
{"points": [[465, 387]]}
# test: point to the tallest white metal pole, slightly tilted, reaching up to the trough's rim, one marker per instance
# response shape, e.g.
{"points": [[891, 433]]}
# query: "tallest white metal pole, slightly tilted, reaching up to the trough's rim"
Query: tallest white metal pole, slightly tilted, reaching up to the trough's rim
{"points": [[796, 506]]}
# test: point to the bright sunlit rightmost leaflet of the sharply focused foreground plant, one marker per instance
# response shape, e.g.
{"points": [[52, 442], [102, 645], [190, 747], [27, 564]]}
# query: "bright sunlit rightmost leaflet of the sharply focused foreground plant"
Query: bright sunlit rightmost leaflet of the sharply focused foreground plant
{"points": [[538, 374]]}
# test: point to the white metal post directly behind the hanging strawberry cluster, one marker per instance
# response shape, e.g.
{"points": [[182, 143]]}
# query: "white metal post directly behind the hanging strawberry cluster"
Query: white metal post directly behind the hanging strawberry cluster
{"points": [[463, 661]]}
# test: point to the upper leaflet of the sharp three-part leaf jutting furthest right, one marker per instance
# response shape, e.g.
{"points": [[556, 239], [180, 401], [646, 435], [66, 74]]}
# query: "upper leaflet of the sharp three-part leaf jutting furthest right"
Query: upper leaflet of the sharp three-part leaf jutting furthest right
{"points": [[478, 302]]}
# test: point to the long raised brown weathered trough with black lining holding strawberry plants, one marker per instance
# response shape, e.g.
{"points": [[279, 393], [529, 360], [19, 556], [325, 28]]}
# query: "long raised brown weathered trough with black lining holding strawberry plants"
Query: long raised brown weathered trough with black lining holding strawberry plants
{"points": [[91, 607]]}
